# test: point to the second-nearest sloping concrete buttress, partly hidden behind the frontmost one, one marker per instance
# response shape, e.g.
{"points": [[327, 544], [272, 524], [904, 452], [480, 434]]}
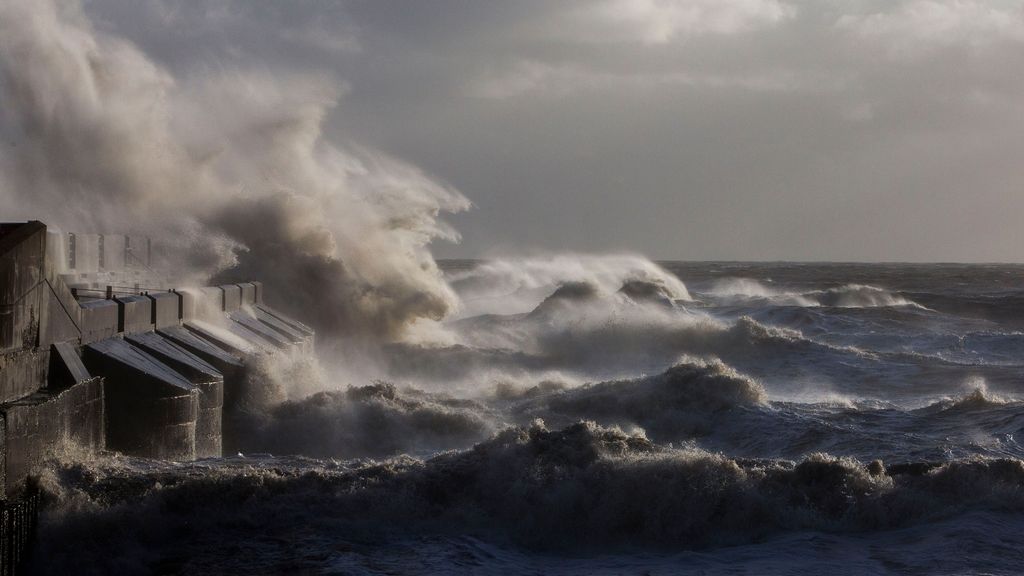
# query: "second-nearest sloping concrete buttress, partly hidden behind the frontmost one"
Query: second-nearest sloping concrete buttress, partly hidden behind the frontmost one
{"points": [[209, 381]]}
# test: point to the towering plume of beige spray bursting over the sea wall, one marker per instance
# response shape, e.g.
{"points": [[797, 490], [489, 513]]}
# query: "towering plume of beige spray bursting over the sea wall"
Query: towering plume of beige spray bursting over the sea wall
{"points": [[231, 170]]}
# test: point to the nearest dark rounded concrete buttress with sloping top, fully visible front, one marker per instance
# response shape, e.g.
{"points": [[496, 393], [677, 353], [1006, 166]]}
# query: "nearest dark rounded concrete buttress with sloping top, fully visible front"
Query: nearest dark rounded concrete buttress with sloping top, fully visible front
{"points": [[151, 409]]}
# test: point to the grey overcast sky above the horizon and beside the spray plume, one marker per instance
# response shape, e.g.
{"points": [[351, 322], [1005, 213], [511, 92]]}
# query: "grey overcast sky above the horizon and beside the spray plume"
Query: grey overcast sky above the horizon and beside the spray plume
{"points": [[704, 130]]}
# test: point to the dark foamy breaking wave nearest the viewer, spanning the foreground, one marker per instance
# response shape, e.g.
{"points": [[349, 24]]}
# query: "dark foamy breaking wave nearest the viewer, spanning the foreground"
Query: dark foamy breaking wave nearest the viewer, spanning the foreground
{"points": [[581, 488]]}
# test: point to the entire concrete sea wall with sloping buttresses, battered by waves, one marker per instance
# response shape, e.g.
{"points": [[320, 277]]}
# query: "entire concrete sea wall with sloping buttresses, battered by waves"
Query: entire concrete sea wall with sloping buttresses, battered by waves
{"points": [[101, 353]]}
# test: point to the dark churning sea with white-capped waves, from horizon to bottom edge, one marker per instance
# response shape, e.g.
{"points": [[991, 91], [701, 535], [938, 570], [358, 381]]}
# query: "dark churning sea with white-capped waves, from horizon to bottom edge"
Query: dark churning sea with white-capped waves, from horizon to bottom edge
{"points": [[607, 416]]}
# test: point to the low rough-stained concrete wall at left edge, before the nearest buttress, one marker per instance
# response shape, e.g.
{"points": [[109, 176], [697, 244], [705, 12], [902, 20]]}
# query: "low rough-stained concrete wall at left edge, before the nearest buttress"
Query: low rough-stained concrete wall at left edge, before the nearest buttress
{"points": [[46, 425]]}
